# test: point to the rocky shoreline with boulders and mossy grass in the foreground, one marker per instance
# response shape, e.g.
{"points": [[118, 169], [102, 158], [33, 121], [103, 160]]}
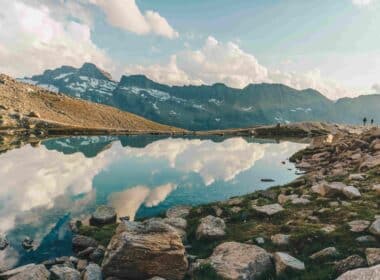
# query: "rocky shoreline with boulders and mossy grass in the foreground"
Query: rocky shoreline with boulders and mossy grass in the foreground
{"points": [[324, 225]]}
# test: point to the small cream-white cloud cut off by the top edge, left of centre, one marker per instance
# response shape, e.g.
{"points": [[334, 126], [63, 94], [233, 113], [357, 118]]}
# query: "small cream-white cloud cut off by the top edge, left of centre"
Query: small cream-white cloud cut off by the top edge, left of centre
{"points": [[126, 14]]}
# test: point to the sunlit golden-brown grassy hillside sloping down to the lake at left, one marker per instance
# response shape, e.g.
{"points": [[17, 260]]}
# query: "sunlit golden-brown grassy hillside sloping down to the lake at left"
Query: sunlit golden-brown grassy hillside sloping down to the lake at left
{"points": [[22, 103]]}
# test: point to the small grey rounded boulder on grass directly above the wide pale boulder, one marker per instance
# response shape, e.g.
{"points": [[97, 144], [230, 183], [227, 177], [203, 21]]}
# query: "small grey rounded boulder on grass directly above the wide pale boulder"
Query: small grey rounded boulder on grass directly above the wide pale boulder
{"points": [[210, 228]]}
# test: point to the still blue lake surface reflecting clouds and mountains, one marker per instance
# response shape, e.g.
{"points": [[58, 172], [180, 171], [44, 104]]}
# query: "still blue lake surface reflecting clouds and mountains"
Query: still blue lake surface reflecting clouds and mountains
{"points": [[42, 188]]}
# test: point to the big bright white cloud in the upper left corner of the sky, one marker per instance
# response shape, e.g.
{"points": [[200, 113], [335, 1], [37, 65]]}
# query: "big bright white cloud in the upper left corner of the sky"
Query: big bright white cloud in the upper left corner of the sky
{"points": [[33, 39]]}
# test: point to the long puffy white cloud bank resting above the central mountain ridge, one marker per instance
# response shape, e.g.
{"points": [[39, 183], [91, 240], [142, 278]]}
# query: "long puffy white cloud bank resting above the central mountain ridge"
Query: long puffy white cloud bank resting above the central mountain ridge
{"points": [[228, 63]]}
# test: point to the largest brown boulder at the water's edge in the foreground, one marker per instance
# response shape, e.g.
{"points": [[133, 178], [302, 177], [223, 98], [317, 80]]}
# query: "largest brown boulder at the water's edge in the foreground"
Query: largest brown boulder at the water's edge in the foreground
{"points": [[140, 250]]}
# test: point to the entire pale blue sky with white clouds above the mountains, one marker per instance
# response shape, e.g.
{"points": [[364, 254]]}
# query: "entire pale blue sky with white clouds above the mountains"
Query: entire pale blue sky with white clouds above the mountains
{"points": [[333, 46]]}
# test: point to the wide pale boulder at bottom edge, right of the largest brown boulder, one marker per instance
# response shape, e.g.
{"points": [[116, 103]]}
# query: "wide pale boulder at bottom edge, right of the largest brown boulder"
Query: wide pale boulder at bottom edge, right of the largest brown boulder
{"points": [[233, 260]]}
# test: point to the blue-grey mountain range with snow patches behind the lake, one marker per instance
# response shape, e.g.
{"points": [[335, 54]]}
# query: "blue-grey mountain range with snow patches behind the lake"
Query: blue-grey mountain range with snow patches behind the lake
{"points": [[207, 106]]}
